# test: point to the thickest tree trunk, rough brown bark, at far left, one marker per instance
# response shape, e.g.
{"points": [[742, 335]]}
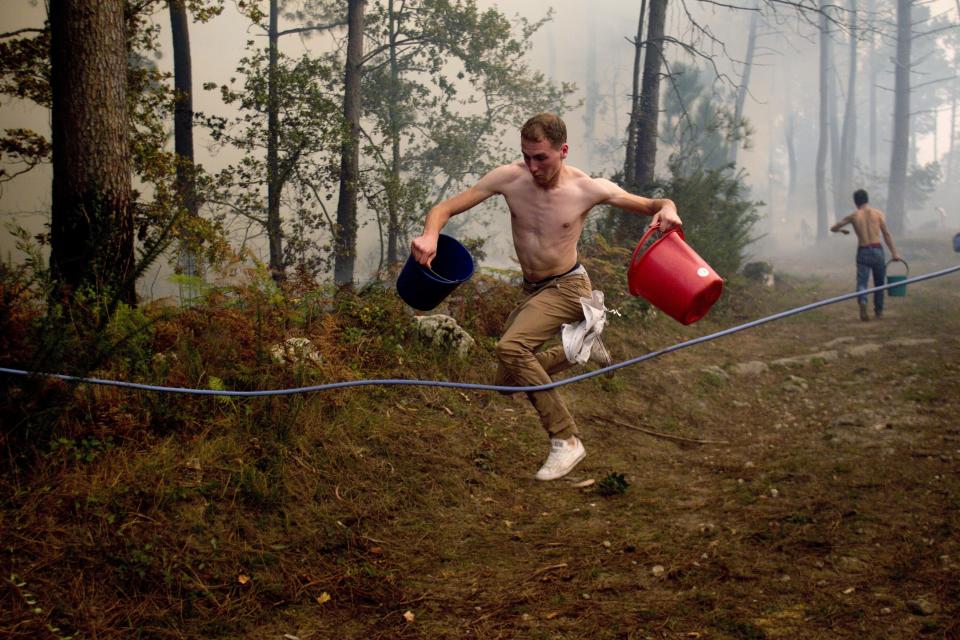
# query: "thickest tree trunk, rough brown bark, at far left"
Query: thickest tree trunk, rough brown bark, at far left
{"points": [[92, 221]]}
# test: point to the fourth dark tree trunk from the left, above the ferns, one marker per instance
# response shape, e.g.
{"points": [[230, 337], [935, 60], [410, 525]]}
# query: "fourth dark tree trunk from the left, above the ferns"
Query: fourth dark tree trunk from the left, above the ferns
{"points": [[346, 236]]}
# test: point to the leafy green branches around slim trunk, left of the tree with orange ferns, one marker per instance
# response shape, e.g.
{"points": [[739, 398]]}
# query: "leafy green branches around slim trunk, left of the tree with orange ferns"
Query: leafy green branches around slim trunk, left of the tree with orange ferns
{"points": [[307, 162]]}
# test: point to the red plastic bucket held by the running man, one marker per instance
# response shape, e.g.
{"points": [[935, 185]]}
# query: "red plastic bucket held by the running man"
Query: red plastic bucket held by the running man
{"points": [[672, 277]]}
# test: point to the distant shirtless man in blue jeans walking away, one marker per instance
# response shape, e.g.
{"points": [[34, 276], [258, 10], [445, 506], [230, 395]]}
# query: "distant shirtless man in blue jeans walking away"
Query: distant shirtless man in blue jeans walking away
{"points": [[869, 224]]}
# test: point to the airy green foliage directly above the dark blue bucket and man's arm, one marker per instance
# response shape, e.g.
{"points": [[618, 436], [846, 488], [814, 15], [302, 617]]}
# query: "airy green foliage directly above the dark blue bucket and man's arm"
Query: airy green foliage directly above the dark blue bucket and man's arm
{"points": [[430, 64]]}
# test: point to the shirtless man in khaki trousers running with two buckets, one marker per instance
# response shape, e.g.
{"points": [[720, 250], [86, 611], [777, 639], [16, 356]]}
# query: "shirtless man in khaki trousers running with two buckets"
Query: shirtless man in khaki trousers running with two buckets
{"points": [[549, 202]]}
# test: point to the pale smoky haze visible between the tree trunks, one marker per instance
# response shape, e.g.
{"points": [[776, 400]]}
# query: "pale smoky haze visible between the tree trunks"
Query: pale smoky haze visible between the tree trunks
{"points": [[589, 44]]}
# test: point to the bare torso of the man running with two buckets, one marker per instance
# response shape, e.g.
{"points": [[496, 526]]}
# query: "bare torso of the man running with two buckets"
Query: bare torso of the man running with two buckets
{"points": [[547, 222]]}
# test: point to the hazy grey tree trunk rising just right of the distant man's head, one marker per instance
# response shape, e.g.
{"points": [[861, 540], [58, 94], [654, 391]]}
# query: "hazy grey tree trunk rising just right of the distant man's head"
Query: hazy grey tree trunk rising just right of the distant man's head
{"points": [[896, 194]]}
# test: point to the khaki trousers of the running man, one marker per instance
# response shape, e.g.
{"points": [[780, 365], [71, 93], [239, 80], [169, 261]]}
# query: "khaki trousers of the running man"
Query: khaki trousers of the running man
{"points": [[542, 310]]}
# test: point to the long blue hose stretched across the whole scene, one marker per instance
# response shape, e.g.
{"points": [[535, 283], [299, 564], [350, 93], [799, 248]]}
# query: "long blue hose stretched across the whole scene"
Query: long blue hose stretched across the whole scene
{"points": [[481, 387]]}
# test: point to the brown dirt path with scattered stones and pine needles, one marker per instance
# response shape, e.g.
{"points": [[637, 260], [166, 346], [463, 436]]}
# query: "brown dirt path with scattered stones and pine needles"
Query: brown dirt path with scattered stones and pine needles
{"points": [[826, 506]]}
